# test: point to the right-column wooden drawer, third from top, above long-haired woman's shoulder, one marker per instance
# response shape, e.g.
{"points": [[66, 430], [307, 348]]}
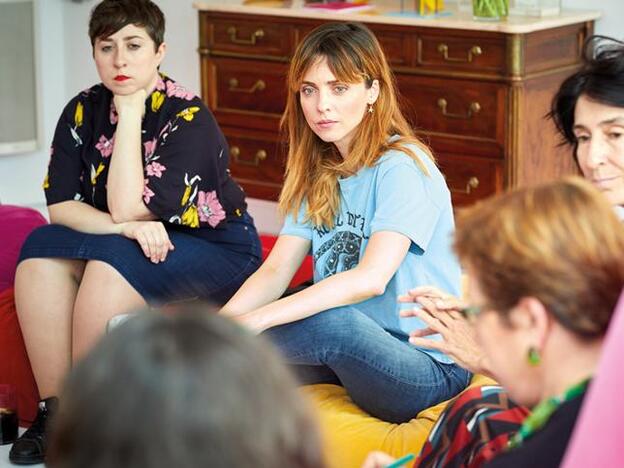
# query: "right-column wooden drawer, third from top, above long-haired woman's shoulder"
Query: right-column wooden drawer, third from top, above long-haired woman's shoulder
{"points": [[471, 178]]}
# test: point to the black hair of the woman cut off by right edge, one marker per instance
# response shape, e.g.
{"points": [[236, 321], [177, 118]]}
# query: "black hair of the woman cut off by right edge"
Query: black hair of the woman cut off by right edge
{"points": [[601, 78]]}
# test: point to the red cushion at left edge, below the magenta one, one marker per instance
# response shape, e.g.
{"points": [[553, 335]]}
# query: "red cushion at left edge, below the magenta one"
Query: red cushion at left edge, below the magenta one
{"points": [[14, 364]]}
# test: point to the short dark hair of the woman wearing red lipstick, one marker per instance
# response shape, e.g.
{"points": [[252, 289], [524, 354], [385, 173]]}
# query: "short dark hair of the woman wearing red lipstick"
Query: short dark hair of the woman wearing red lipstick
{"points": [[109, 16]]}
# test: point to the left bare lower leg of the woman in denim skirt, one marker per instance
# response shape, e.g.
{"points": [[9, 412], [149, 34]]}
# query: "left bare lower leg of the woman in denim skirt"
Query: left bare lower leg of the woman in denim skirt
{"points": [[45, 292]]}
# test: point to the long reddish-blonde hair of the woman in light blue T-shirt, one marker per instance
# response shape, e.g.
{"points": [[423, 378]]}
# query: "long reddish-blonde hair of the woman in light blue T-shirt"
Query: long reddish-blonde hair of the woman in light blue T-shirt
{"points": [[313, 166]]}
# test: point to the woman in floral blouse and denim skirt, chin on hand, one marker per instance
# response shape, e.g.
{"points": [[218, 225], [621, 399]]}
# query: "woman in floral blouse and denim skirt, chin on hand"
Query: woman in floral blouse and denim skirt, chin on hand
{"points": [[142, 205]]}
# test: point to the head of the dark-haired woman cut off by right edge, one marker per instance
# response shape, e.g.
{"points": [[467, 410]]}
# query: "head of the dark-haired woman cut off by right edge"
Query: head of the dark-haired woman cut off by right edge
{"points": [[588, 110]]}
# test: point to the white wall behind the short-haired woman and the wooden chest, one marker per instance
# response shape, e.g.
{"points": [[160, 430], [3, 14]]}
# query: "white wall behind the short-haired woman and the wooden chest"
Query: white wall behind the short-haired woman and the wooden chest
{"points": [[66, 67]]}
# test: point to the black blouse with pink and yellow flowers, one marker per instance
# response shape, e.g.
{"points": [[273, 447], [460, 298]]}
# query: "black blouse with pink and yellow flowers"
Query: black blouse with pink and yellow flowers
{"points": [[185, 158]]}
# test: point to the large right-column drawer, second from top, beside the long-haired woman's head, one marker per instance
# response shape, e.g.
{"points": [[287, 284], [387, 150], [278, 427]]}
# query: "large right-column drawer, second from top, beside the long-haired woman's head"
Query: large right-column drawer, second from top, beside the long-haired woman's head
{"points": [[473, 109]]}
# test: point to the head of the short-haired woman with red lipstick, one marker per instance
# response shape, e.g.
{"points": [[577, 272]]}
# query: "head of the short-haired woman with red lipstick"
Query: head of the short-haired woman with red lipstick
{"points": [[127, 37]]}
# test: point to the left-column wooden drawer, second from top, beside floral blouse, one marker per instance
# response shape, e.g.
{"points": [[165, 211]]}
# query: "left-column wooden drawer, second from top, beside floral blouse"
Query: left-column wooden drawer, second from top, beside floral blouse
{"points": [[247, 92]]}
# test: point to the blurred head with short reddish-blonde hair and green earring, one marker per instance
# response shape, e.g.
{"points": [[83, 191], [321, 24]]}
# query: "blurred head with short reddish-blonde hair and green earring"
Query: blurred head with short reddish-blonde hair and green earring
{"points": [[546, 268]]}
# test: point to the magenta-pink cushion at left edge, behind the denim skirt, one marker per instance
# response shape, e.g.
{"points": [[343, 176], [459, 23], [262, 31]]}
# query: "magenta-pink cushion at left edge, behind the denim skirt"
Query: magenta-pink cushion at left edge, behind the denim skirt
{"points": [[16, 222]]}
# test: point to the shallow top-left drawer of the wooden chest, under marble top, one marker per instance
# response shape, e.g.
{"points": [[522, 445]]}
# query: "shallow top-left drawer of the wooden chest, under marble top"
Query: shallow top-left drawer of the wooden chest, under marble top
{"points": [[251, 37]]}
